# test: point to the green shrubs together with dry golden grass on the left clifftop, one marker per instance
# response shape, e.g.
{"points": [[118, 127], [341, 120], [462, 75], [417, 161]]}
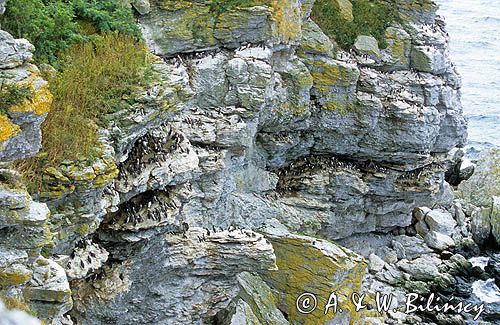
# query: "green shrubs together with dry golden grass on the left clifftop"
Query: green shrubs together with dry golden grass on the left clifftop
{"points": [[101, 61]]}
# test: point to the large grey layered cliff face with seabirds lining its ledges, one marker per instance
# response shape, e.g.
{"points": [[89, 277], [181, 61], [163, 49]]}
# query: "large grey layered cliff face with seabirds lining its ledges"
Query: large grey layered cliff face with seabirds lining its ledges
{"points": [[258, 128]]}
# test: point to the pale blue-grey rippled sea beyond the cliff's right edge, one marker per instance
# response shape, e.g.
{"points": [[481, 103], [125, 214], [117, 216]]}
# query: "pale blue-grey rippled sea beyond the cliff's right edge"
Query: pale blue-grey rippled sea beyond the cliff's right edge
{"points": [[474, 28]]}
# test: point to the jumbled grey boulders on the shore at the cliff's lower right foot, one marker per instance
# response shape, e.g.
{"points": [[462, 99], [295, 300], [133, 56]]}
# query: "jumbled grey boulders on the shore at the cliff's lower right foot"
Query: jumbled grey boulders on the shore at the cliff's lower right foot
{"points": [[406, 261]]}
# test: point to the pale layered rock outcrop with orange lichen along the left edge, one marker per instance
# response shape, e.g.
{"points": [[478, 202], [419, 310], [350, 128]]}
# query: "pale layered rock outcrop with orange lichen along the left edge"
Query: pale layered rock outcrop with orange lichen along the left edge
{"points": [[25, 275]]}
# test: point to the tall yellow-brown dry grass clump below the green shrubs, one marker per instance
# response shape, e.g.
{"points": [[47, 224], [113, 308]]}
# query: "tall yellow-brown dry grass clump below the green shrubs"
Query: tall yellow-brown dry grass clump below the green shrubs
{"points": [[95, 78]]}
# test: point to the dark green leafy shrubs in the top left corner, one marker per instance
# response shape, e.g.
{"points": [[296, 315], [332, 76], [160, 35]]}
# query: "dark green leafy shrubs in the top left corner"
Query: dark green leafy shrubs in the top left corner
{"points": [[53, 25]]}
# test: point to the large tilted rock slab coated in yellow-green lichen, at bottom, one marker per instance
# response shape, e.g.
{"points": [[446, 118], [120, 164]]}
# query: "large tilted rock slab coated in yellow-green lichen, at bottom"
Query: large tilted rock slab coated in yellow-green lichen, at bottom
{"points": [[319, 267]]}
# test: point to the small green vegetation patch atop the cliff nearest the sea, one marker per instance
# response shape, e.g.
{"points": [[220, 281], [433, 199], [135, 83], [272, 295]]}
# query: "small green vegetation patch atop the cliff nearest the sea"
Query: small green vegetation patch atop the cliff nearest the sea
{"points": [[371, 17]]}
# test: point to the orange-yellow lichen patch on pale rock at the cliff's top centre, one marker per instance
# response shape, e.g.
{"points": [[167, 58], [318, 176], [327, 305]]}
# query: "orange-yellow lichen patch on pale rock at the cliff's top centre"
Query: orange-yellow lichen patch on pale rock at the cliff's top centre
{"points": [[288, 19]]}
